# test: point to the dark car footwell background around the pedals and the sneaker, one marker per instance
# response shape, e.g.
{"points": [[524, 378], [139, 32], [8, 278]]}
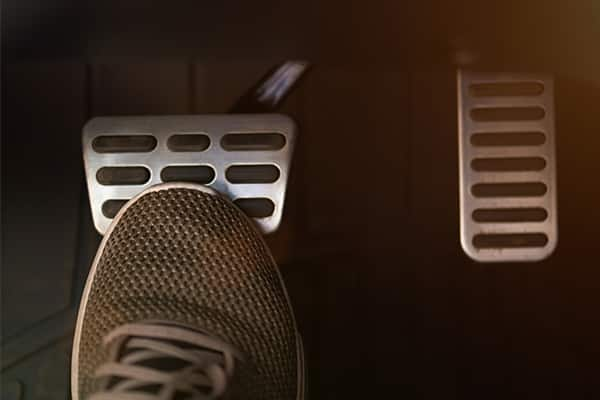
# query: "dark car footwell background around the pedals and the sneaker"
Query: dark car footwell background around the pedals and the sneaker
{"points": [[386, 298]]}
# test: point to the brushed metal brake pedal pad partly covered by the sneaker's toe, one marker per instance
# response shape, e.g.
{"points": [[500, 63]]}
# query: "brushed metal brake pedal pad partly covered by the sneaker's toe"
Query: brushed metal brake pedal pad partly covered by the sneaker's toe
{"points": [[245, 157]]}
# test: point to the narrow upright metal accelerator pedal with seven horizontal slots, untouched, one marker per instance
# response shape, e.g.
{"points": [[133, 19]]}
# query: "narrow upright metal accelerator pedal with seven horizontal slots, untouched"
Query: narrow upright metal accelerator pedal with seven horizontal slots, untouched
{"points": [[507, 166]]}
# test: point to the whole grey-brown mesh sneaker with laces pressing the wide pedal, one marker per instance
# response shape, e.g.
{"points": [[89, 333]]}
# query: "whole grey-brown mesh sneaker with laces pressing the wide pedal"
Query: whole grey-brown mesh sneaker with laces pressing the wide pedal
{"points": [[184, 300]]}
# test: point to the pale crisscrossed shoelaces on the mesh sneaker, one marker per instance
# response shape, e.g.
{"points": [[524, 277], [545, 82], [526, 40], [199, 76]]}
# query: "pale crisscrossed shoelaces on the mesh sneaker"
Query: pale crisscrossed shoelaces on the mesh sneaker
{"points": [[207, 366]]}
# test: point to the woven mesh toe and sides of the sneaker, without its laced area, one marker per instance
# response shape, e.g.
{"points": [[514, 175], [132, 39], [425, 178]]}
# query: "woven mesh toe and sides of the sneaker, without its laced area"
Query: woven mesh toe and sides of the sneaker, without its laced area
{"points": [[183, 255]]}
